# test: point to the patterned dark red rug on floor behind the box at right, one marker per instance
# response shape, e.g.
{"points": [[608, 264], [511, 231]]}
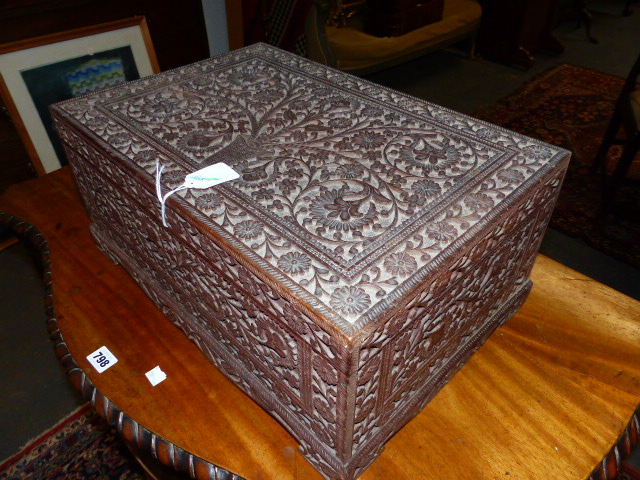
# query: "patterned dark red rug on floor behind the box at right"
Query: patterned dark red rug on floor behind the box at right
{"points": [[570, 106]]}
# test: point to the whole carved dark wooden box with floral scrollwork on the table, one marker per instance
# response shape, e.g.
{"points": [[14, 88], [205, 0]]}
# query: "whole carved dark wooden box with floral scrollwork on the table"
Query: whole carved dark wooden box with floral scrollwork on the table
{"points": [[371, 244]]}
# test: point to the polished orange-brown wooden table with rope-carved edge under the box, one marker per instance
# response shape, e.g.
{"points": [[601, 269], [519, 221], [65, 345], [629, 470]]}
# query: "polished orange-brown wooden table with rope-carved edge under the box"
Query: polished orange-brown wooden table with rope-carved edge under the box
{"points": [[548, 396]]}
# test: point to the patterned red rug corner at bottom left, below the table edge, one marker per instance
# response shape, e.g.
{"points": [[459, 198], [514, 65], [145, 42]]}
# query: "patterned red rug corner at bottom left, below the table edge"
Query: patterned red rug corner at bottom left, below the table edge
{"points": [[80, 447]]}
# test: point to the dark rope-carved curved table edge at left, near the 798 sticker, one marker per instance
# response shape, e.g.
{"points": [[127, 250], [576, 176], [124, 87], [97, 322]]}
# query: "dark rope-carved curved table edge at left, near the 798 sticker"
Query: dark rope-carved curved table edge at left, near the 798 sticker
{"points": [[131, 431]]}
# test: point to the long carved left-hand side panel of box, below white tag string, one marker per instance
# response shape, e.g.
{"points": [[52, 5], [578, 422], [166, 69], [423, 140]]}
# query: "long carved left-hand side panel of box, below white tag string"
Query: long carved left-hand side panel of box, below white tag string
{"points": [[264, 342]]}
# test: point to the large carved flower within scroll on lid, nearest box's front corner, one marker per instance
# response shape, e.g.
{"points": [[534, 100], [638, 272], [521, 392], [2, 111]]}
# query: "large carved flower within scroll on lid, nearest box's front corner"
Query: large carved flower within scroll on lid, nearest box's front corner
{"points": [[335, 212]]}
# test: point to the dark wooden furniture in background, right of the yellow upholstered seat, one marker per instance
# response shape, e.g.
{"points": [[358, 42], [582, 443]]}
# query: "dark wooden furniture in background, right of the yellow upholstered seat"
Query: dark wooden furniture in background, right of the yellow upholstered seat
{"points": [[512, 31]]}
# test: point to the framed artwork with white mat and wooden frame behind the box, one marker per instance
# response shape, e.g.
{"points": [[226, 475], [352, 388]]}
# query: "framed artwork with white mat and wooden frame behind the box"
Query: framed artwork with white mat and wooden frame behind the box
{"points": [[37, 72]]}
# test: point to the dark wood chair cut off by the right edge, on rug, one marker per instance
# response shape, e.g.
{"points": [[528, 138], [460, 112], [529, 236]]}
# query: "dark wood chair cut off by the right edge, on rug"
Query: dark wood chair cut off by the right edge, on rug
{"points": [[623, 129]]}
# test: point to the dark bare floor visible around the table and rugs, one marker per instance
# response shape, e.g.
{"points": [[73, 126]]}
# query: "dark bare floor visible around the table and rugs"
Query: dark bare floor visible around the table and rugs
{"points": [[34, 393]]}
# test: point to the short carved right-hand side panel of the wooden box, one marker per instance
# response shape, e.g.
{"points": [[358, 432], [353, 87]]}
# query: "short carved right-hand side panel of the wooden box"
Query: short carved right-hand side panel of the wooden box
{"points": [[408, 358]]}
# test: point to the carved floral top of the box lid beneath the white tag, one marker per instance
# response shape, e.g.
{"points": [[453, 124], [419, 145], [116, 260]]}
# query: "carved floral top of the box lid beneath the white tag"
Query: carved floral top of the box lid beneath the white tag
{"points": [[349, 195]]}
